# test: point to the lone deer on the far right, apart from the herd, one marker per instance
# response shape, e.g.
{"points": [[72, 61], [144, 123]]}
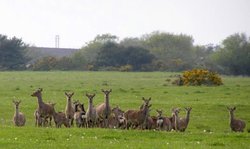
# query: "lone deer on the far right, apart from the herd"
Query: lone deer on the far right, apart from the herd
{"points": [[236, 125]]}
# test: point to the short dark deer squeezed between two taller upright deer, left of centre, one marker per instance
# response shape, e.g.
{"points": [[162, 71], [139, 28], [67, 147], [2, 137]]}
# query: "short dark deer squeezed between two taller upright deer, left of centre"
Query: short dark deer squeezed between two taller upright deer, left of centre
{"points": [[80, 115]]}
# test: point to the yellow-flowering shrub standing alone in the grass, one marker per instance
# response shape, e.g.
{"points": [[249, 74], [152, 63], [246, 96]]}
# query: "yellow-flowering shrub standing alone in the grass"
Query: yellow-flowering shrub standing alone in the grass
{"points": [[199, 77]]}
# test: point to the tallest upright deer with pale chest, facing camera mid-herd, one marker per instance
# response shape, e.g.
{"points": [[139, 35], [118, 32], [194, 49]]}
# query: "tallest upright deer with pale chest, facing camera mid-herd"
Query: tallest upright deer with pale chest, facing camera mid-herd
{"points": [[104, 109]]}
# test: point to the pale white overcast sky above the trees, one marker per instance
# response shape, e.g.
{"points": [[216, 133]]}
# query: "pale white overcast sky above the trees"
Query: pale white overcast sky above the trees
{"points": [[77, 22]]}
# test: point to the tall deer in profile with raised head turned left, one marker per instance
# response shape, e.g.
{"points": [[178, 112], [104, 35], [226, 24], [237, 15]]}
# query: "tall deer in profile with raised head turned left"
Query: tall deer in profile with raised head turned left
{"points": [[44, 110]]}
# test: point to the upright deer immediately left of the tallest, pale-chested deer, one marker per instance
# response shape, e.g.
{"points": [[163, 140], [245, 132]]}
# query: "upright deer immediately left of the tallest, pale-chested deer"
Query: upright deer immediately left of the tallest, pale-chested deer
{"points": [[91, 115]]}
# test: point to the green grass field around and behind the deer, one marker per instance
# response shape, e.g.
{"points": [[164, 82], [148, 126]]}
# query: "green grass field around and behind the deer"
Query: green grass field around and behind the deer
{"points": [[208, 127]]}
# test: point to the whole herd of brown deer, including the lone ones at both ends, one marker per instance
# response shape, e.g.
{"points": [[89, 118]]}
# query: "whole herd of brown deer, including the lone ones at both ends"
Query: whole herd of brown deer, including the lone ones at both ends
{"points": [[106, 117]]}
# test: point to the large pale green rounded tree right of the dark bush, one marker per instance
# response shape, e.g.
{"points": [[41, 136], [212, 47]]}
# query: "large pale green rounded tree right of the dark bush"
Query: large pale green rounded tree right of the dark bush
{"points": [[173, 51]]}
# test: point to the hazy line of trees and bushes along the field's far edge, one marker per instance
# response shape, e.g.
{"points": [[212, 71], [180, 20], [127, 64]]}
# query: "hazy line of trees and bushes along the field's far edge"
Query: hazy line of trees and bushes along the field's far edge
{"points": [[157, 51]]}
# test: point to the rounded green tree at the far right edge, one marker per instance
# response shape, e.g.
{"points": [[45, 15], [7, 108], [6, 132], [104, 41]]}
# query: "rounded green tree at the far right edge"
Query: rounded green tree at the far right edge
{"points": [[233, 56]]}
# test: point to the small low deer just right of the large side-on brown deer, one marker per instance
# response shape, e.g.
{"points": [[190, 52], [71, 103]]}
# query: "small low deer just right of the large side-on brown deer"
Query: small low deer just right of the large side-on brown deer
{"points": [[163, 123]]}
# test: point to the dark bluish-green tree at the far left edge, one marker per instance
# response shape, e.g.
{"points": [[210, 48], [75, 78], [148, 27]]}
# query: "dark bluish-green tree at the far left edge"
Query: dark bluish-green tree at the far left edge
{"points": [[12, 53]]}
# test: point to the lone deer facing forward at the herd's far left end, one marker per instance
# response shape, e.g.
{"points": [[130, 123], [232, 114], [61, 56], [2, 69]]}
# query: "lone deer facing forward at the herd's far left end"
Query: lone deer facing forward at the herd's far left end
{"points": [[19, 117]]}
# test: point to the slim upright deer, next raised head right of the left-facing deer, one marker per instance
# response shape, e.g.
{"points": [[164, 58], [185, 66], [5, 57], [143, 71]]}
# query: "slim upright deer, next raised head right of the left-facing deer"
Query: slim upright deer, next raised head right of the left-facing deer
{"points": [[69, 109]]}
